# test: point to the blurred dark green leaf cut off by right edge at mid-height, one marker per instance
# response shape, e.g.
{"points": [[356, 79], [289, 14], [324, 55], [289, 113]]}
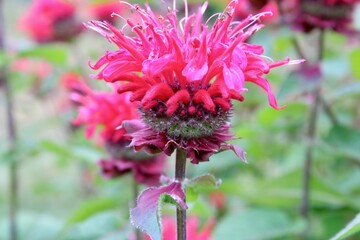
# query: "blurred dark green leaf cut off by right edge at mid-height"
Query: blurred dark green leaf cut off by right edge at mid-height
{"points": [[346, 140]]}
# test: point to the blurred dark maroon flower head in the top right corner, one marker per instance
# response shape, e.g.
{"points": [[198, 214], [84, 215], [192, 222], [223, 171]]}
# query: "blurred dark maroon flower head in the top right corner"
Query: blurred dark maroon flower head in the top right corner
{"points": [[330, 14]]}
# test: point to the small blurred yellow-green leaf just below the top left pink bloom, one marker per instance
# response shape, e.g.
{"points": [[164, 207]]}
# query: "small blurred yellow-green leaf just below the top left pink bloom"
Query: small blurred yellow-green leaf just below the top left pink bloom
{"points": [[55, 54]]}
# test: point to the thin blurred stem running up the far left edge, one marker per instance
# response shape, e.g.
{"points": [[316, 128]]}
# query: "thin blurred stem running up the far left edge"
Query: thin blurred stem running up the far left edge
{"points": [[11, 133]]}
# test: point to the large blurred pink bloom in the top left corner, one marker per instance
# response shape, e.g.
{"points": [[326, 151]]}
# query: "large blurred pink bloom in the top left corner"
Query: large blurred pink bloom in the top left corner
{"points": [[50, 20]]}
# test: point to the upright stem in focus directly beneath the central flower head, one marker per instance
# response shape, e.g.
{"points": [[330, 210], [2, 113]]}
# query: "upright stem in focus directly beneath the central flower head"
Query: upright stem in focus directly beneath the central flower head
{"points": [[180, 168]]}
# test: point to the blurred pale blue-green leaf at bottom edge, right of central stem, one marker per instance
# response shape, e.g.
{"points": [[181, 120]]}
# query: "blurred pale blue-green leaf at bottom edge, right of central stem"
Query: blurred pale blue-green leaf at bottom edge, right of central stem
{"points": [[252, 224]]}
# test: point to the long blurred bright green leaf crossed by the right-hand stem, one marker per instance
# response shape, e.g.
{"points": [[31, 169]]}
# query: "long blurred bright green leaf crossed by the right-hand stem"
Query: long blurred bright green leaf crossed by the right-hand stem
{"points": [[285, 190]]}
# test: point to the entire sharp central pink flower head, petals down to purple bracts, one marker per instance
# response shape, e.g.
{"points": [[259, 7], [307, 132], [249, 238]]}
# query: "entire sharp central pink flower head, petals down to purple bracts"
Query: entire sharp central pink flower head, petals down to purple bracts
{"points": [[184, 75]]}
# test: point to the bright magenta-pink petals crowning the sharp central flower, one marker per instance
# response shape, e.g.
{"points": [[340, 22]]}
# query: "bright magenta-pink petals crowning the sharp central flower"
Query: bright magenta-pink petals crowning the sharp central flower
{"points": [[172, 56]]}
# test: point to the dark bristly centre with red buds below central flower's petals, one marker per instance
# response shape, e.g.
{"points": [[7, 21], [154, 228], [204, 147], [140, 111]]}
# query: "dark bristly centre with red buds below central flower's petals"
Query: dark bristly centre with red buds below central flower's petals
{"points": [[188, 114]]}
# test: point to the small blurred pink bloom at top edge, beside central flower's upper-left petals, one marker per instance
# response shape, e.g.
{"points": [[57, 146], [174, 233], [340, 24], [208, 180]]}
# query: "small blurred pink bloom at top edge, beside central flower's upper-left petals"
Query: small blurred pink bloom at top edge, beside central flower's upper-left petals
{"points": [[104, 10]]}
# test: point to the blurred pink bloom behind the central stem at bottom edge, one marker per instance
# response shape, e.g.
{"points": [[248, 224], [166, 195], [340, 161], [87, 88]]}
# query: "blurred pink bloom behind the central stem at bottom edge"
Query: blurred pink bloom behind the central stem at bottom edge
{"points": [[192, 229]]}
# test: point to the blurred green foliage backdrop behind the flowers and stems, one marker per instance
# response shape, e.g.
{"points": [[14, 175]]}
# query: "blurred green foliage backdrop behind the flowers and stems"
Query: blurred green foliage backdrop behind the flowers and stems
{"points": [[63, 196]]}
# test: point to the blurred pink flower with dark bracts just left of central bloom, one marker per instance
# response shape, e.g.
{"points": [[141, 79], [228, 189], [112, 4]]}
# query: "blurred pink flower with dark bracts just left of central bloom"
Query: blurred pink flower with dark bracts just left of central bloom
{"points": [[107, 111]]}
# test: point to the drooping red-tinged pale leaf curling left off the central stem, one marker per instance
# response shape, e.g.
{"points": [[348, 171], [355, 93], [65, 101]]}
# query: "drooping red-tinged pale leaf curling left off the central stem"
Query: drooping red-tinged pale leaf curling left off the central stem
{"points": [[145, 215]]}
